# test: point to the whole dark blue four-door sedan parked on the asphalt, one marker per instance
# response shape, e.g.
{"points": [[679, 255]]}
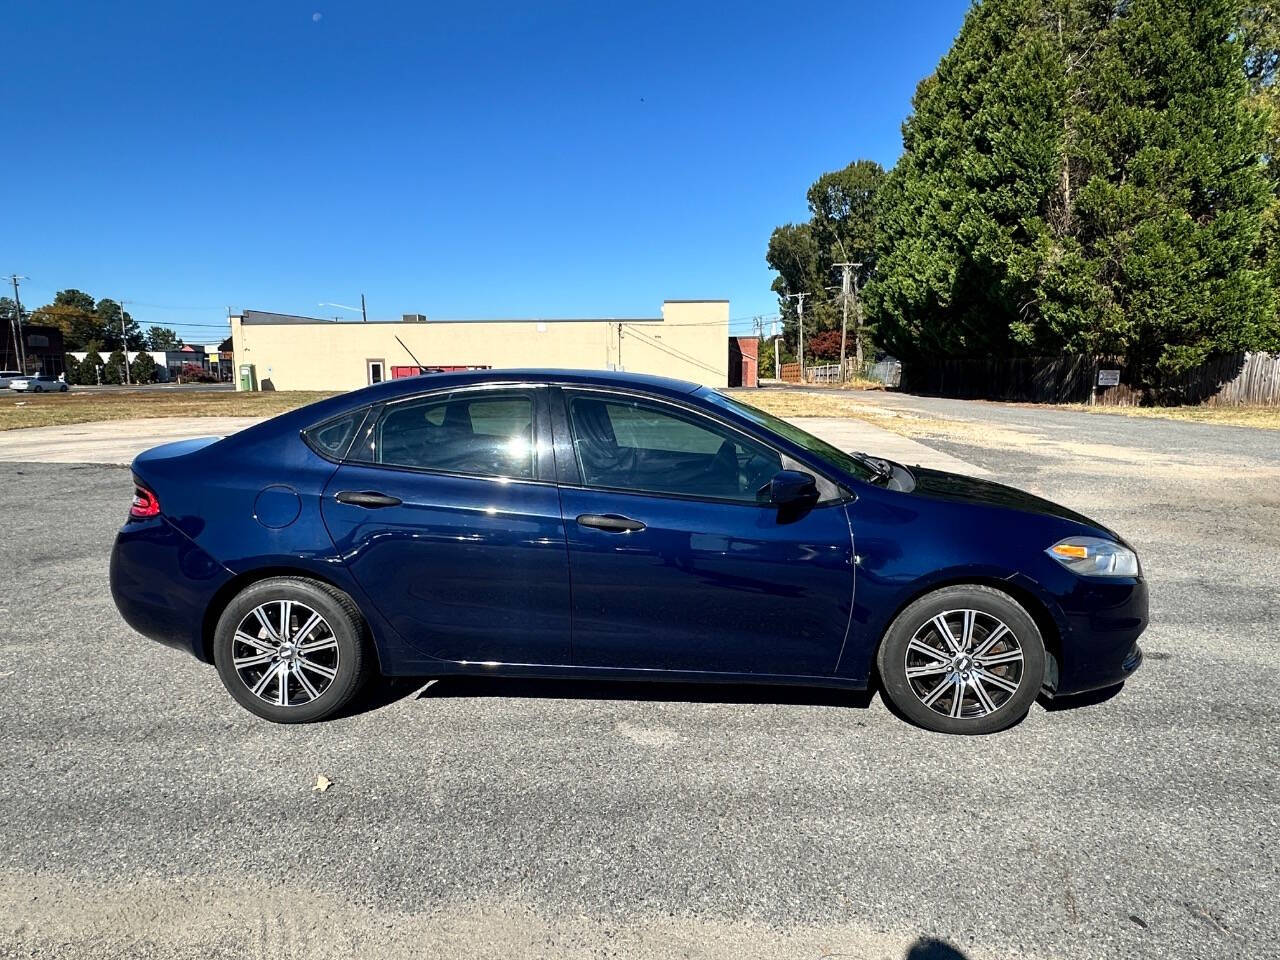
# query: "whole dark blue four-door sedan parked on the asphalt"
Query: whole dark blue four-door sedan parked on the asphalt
{"points": [[610, 527]]}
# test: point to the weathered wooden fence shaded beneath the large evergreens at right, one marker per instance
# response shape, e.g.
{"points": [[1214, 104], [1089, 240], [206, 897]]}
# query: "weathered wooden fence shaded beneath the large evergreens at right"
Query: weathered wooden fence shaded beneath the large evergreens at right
{"points": [[1228, 380]]}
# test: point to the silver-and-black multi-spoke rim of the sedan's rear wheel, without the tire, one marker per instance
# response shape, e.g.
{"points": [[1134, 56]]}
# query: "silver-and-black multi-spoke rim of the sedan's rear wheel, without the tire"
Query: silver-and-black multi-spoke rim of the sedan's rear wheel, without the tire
{"points": [[286, 653]]}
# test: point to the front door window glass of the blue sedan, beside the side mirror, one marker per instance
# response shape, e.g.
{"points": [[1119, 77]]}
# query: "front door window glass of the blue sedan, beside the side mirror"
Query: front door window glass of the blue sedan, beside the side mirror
{"points": [[630, 445]]}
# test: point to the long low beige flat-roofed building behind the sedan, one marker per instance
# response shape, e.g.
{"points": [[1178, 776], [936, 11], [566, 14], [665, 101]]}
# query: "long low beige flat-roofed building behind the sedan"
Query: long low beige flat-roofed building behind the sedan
{"points": [[689, 342]]}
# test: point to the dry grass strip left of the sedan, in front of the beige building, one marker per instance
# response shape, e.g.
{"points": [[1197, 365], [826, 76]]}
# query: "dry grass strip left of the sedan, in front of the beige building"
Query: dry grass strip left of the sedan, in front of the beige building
{"points": [[61, 409]]}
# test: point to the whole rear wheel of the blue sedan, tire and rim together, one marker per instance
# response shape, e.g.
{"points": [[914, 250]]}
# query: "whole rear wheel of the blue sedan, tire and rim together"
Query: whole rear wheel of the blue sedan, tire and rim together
{"points": [[291, 650]]}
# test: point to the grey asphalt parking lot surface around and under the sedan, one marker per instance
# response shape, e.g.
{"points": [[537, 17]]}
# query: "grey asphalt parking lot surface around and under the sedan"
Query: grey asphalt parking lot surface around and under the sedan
{"points": [[147, 815]]}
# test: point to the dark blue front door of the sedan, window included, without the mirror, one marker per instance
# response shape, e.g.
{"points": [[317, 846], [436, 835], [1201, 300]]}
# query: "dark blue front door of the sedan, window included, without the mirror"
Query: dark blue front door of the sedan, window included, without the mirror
{"points": [[676, 564]]}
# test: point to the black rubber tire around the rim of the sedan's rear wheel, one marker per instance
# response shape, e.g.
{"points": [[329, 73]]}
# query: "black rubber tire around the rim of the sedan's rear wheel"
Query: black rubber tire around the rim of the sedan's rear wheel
{"points": [[350, 660]]}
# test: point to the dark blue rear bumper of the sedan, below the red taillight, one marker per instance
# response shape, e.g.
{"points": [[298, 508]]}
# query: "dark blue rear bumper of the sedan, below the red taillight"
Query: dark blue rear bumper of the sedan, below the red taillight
{"points": [[163, 584]]}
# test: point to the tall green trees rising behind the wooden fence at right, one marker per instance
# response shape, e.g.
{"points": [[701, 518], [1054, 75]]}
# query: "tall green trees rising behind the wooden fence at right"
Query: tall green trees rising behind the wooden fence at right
{"points": [[1077, 177]]}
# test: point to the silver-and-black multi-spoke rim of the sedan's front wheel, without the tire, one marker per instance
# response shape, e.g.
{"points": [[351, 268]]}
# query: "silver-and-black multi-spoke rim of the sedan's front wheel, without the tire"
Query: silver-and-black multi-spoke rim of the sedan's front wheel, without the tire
{"points": [[964, 665]]}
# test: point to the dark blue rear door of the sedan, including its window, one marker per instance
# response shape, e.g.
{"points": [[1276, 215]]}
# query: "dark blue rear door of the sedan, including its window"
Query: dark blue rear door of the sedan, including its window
{"points": [[450, 520]]}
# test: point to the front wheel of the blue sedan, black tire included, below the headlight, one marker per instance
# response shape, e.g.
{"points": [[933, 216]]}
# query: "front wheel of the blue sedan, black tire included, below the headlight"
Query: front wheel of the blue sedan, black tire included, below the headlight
{"points": [[966, 676]]}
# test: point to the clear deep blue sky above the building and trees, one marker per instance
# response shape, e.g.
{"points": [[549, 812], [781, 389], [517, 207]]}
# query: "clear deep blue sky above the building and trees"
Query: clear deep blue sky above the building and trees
{"points": [[463, 161]]}
